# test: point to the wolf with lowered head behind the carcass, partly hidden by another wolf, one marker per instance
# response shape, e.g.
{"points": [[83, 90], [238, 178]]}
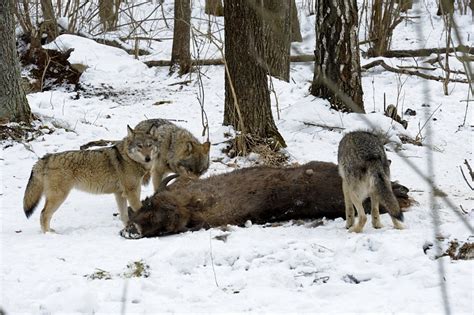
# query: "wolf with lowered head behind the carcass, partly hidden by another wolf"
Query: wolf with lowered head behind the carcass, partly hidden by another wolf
{"points": [[179, 151]]}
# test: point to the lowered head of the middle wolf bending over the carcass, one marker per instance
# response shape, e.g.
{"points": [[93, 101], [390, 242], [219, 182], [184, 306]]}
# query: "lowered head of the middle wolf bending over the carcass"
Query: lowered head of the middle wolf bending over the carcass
{"points": [[189, 157]]}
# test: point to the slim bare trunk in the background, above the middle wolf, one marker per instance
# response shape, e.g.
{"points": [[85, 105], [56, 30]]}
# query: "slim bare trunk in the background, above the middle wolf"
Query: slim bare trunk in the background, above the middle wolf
{"points": [[180, 54]]}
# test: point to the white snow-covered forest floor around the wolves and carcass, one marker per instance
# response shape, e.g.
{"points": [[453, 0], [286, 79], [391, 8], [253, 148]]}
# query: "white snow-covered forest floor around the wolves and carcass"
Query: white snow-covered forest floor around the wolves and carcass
{"points": [[289, 268]]}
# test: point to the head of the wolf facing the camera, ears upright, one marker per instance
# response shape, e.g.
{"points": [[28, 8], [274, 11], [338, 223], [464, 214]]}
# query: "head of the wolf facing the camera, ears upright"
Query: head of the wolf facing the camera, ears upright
{"points": [[141, 146]]}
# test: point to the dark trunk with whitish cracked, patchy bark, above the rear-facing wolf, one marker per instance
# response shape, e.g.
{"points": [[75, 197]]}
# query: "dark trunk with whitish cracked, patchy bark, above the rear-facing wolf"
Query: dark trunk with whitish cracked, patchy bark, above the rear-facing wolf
{"points": [[337, 65]]}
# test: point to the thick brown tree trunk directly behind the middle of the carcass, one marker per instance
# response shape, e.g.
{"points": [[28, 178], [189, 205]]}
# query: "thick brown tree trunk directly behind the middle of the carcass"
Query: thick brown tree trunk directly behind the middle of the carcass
{"points": [[246, 75]]}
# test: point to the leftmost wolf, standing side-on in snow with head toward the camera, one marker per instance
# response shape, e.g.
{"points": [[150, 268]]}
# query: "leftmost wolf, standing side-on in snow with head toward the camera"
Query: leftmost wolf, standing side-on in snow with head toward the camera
{"points": [[117, 170]]}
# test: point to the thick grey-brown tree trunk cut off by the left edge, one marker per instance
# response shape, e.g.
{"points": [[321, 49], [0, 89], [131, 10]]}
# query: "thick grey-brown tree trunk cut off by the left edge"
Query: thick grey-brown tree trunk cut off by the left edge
{"points": [[13, 103]]}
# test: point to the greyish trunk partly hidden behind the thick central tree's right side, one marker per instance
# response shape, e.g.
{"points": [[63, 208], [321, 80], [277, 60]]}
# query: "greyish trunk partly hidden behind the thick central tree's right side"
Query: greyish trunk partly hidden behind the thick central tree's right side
{"points": [[276, 16]]}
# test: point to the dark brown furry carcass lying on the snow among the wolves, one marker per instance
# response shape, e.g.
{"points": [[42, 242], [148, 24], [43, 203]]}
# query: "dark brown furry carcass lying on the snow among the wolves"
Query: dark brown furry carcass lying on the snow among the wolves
{"points": [[260, 194]]}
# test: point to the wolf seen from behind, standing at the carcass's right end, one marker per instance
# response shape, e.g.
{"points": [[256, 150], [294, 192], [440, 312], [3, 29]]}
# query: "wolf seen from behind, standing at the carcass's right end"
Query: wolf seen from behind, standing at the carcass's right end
{"points": [[365, 172]]}
